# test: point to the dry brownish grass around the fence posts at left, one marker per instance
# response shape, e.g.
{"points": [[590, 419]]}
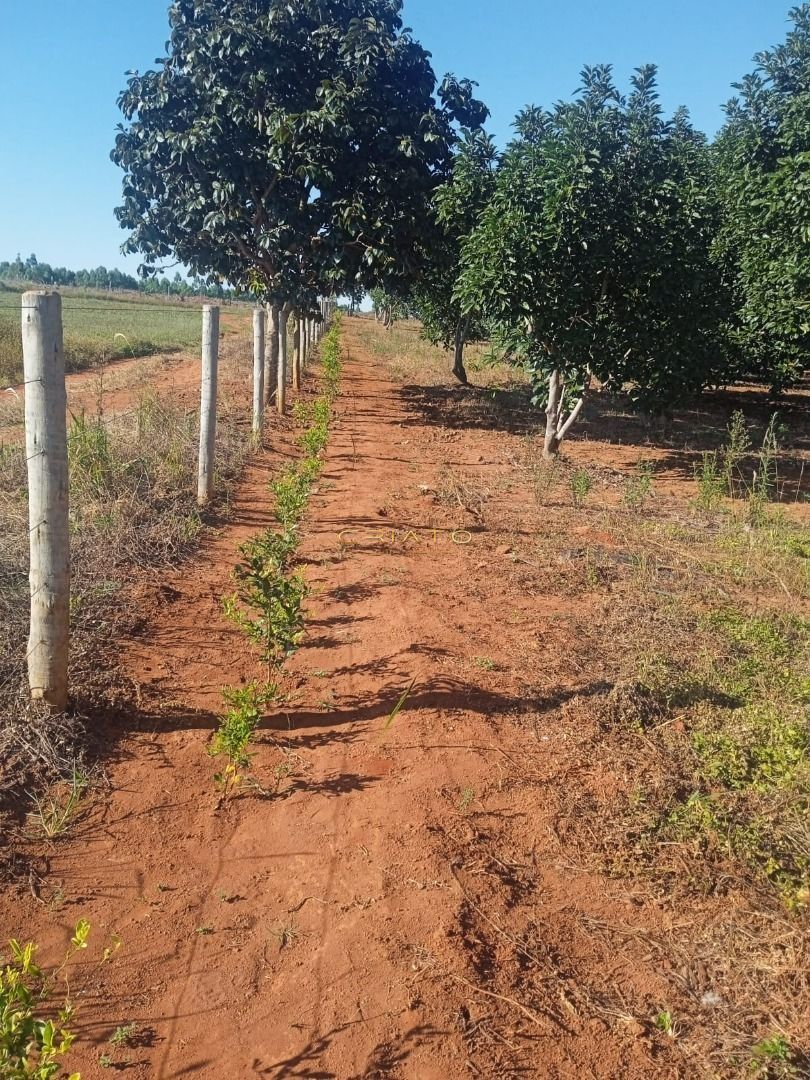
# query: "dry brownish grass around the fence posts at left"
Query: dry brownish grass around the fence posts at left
{"points": [[133, 482]]}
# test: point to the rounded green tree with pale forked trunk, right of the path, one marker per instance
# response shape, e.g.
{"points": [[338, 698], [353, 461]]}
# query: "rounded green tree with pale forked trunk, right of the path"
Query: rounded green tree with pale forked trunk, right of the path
{"points": [[595, 253]]}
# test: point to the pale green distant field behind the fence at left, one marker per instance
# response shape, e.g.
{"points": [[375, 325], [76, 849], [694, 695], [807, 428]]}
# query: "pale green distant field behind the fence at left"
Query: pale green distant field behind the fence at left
{"points": [[99, 330]]}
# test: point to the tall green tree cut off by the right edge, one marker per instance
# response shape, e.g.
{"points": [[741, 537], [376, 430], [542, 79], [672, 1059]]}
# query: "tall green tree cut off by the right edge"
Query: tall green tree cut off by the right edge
{"points": [[764, 171]]}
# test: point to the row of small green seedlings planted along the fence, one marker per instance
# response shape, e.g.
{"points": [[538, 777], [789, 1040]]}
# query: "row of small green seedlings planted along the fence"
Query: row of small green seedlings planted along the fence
{"points": [[267, 604]]}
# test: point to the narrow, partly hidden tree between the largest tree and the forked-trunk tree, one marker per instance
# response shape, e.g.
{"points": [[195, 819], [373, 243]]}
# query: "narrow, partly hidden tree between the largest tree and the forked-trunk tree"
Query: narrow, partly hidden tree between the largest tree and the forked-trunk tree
{"points": [[458, 206]]}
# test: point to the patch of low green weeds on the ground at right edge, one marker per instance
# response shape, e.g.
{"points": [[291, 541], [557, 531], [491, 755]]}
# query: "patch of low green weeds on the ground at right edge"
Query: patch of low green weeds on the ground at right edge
{"points": [[744, 746]]}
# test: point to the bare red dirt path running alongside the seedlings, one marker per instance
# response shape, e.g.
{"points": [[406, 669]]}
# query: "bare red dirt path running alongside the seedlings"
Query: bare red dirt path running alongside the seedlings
{"points": [[400, 908]]}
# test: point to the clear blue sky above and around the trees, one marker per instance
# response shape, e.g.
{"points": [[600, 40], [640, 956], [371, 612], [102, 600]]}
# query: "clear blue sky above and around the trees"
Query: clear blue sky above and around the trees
{"points": [[63, 63]]}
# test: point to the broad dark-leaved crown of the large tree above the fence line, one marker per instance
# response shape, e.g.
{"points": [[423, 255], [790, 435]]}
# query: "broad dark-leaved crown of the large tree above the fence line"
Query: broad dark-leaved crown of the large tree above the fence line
{"points": [[287, 146]]}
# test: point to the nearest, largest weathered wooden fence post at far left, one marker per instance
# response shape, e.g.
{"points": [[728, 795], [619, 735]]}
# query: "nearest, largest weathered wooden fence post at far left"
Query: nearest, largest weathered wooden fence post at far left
{"points": [[46, 440]]}
